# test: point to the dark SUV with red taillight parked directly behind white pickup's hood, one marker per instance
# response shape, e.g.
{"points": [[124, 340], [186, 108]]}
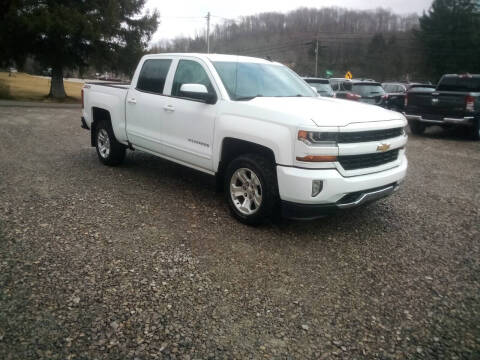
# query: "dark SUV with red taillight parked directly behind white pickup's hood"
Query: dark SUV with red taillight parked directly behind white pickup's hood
{"points": [[366, 91]]}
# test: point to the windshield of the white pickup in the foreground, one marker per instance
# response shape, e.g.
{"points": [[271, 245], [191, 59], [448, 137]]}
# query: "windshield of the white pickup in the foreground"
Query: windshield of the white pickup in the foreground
{"points": [[245, 81]]}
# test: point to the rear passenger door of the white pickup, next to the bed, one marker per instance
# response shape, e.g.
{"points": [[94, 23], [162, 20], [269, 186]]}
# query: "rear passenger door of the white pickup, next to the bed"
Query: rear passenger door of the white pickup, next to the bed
{"points": [[145, 105]]}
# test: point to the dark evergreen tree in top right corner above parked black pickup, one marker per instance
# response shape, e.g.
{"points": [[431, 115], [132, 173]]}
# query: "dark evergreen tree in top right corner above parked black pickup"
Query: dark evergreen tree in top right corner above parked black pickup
{"points": [[450, 37]]}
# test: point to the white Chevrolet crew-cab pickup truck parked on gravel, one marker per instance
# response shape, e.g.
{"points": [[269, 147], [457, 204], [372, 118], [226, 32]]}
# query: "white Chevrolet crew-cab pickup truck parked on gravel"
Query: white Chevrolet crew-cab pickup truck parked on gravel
{"points": [[272, 143]]}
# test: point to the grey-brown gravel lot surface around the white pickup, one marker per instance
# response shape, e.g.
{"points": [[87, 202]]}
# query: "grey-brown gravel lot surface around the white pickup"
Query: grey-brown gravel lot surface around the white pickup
{"points": [[143, 261]]}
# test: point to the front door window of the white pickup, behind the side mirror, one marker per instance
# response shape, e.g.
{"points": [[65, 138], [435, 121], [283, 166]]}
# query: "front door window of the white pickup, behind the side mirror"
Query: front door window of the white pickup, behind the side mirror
{"points": [[190, 72]]}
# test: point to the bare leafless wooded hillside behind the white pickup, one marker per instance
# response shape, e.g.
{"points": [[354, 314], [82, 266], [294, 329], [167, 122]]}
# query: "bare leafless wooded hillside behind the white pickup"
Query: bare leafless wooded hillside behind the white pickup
{"points": [[346, 37]]}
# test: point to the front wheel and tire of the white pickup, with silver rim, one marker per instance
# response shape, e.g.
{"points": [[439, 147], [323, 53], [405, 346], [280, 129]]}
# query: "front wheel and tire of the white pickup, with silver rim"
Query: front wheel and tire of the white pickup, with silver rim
{"points": [[254, 176]]}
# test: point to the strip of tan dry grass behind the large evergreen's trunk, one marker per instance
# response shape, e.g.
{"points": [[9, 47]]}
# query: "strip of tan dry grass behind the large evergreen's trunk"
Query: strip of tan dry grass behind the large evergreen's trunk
{"points": [[26, 87]]}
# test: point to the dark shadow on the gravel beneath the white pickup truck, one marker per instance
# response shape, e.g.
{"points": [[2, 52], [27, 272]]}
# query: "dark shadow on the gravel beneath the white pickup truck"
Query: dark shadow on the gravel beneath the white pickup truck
{"points": [[154, 175]]}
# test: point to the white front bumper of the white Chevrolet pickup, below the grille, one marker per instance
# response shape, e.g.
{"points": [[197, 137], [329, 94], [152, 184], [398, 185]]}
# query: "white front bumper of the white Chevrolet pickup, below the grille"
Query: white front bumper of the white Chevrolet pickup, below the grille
{"points": [[338, 192]]}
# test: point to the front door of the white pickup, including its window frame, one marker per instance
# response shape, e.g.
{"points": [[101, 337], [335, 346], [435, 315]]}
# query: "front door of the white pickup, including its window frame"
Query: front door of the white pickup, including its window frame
{"points": [[188, 124]]}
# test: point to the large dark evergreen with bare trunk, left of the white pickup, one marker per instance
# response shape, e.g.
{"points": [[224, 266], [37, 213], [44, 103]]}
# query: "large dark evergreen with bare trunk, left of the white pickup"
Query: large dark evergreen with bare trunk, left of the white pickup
{"points": [[71, 33]]}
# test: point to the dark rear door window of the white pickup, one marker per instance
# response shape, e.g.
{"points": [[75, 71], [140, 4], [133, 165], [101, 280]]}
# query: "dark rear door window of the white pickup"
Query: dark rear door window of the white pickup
{"points": [[153, 75]]}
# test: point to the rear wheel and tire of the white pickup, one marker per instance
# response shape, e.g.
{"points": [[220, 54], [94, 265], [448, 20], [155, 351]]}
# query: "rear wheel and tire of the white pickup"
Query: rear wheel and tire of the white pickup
{"points": [[109, 150]]}
